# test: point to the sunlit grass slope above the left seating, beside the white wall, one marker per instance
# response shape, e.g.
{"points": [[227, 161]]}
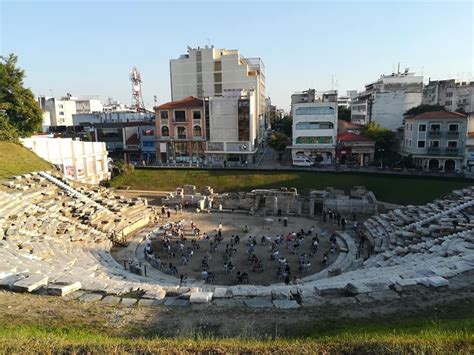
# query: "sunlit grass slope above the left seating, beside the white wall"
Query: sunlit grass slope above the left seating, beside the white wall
{"points": [[16, 159]]}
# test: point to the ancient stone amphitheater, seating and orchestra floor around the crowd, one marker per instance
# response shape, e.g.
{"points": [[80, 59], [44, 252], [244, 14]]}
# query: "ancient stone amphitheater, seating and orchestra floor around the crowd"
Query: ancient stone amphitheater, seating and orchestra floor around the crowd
{"points": [[91, 243]]}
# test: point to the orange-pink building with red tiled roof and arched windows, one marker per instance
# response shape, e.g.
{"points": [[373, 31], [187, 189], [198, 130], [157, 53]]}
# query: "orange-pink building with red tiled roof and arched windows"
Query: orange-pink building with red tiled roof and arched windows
{"points": [[181, 131]]}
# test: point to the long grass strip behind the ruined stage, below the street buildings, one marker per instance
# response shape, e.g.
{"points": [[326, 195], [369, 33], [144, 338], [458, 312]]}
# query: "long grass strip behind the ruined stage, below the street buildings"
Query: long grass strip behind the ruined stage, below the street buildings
{"points": [[394, 189]]}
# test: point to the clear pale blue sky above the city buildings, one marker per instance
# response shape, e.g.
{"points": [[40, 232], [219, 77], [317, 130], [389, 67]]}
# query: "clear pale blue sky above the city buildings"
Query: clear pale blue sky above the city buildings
{"points": [[89, 47]]}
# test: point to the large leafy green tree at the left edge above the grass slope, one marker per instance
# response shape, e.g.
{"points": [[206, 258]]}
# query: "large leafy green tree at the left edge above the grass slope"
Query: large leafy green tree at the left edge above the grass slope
{"points": [[19, 104]]}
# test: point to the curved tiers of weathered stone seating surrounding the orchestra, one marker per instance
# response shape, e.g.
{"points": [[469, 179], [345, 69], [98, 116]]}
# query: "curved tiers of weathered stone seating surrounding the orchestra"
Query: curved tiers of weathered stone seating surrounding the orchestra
{"points": [[43, 245]]}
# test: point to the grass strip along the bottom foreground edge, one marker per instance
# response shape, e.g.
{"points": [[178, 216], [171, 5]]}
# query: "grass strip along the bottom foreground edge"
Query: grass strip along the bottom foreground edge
{"points": [[442, 336]]}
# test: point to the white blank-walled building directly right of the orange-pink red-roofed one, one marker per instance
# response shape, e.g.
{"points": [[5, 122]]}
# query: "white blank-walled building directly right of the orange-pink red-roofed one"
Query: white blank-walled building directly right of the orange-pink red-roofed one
{"points": [[233, 128]]}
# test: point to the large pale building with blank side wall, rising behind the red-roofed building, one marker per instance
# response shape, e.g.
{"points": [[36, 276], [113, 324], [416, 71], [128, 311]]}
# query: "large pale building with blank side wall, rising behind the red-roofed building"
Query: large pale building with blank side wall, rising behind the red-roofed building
{"points": [[387, 99]]}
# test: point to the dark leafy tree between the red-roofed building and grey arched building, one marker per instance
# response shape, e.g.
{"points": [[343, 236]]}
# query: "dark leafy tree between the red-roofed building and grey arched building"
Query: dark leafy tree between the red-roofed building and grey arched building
{"points": [[386, 142]]}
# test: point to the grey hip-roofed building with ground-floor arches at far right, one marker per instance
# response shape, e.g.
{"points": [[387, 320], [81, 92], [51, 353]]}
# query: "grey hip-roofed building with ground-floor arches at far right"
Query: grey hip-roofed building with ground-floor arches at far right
{"points": [[436, 140]]}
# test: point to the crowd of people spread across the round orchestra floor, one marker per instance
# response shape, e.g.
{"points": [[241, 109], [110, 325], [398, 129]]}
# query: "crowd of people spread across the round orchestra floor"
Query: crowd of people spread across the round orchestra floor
{"points": [[179, 241]]}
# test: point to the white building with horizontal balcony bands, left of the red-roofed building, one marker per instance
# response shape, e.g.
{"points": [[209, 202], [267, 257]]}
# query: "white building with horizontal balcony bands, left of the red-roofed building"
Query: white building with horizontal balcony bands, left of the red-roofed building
{"points": [[314, 125]]}
